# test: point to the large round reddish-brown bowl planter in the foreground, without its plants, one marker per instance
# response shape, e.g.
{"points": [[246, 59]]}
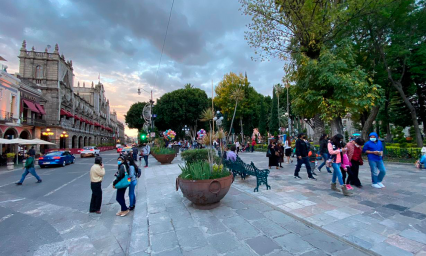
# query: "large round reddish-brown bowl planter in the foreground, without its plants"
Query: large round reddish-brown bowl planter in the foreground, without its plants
{"points": [[204, 192]]}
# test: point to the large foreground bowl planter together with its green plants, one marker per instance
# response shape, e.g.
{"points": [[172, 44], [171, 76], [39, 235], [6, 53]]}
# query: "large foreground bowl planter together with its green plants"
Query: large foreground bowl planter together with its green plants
{"points": [[204, 180]]}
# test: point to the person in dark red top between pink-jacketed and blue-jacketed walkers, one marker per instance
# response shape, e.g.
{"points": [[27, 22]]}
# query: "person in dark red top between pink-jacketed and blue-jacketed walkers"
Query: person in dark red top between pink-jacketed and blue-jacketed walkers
{"points": [[355, 157]]}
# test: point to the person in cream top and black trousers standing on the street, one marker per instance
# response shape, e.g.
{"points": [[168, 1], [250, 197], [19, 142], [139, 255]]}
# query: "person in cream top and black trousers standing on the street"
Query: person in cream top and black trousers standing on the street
{"points": [[97, 173]]}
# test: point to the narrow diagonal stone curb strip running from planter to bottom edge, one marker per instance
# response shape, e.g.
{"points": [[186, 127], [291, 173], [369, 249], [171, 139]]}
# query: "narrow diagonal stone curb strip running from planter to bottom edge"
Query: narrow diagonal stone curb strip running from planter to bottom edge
{"points": [[307, 223]]}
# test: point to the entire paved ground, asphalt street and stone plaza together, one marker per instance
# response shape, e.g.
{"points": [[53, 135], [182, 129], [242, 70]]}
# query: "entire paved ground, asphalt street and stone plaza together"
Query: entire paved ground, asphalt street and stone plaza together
{"points": [[295, 217]]}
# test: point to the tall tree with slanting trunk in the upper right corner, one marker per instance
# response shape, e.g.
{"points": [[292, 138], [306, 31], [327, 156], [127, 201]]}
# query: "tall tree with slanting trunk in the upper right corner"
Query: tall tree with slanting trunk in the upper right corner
{"points": [[396, 32]]}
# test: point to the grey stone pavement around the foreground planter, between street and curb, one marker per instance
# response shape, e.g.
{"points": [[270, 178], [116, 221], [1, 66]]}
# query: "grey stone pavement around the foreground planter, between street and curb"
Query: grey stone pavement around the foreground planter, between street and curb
{"points": [[166, 223]]}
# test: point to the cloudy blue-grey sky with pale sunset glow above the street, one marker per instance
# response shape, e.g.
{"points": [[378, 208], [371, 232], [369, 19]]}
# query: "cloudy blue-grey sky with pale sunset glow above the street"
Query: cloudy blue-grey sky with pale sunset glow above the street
{"points": [[122, 41]]}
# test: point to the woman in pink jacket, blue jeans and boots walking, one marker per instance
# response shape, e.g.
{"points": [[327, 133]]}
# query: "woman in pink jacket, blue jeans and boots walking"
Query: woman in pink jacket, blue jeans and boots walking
{"points": [[336, 151]]}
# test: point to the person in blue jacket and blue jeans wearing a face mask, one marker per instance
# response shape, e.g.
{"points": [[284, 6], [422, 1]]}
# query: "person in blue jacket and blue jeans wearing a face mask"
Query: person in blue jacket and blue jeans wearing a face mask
{"points": [[374, 150]]}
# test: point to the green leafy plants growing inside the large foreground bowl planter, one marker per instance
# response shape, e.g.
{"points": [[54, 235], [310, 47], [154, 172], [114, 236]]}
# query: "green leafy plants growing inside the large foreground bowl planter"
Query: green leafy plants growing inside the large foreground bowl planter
{"points": [[202, 171]]}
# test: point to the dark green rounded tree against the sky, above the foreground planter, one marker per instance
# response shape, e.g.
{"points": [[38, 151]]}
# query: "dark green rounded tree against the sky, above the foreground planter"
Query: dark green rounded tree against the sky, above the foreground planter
{"points": [[179, 108]]}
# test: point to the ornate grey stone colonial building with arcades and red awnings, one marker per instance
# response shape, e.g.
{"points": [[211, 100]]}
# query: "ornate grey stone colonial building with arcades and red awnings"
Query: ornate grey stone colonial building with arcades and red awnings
{"points": [[76, 115]]}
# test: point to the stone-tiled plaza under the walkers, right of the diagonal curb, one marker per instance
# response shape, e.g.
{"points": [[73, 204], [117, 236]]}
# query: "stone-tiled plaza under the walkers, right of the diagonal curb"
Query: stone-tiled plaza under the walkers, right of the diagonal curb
{"points": [[389, 221]]}
